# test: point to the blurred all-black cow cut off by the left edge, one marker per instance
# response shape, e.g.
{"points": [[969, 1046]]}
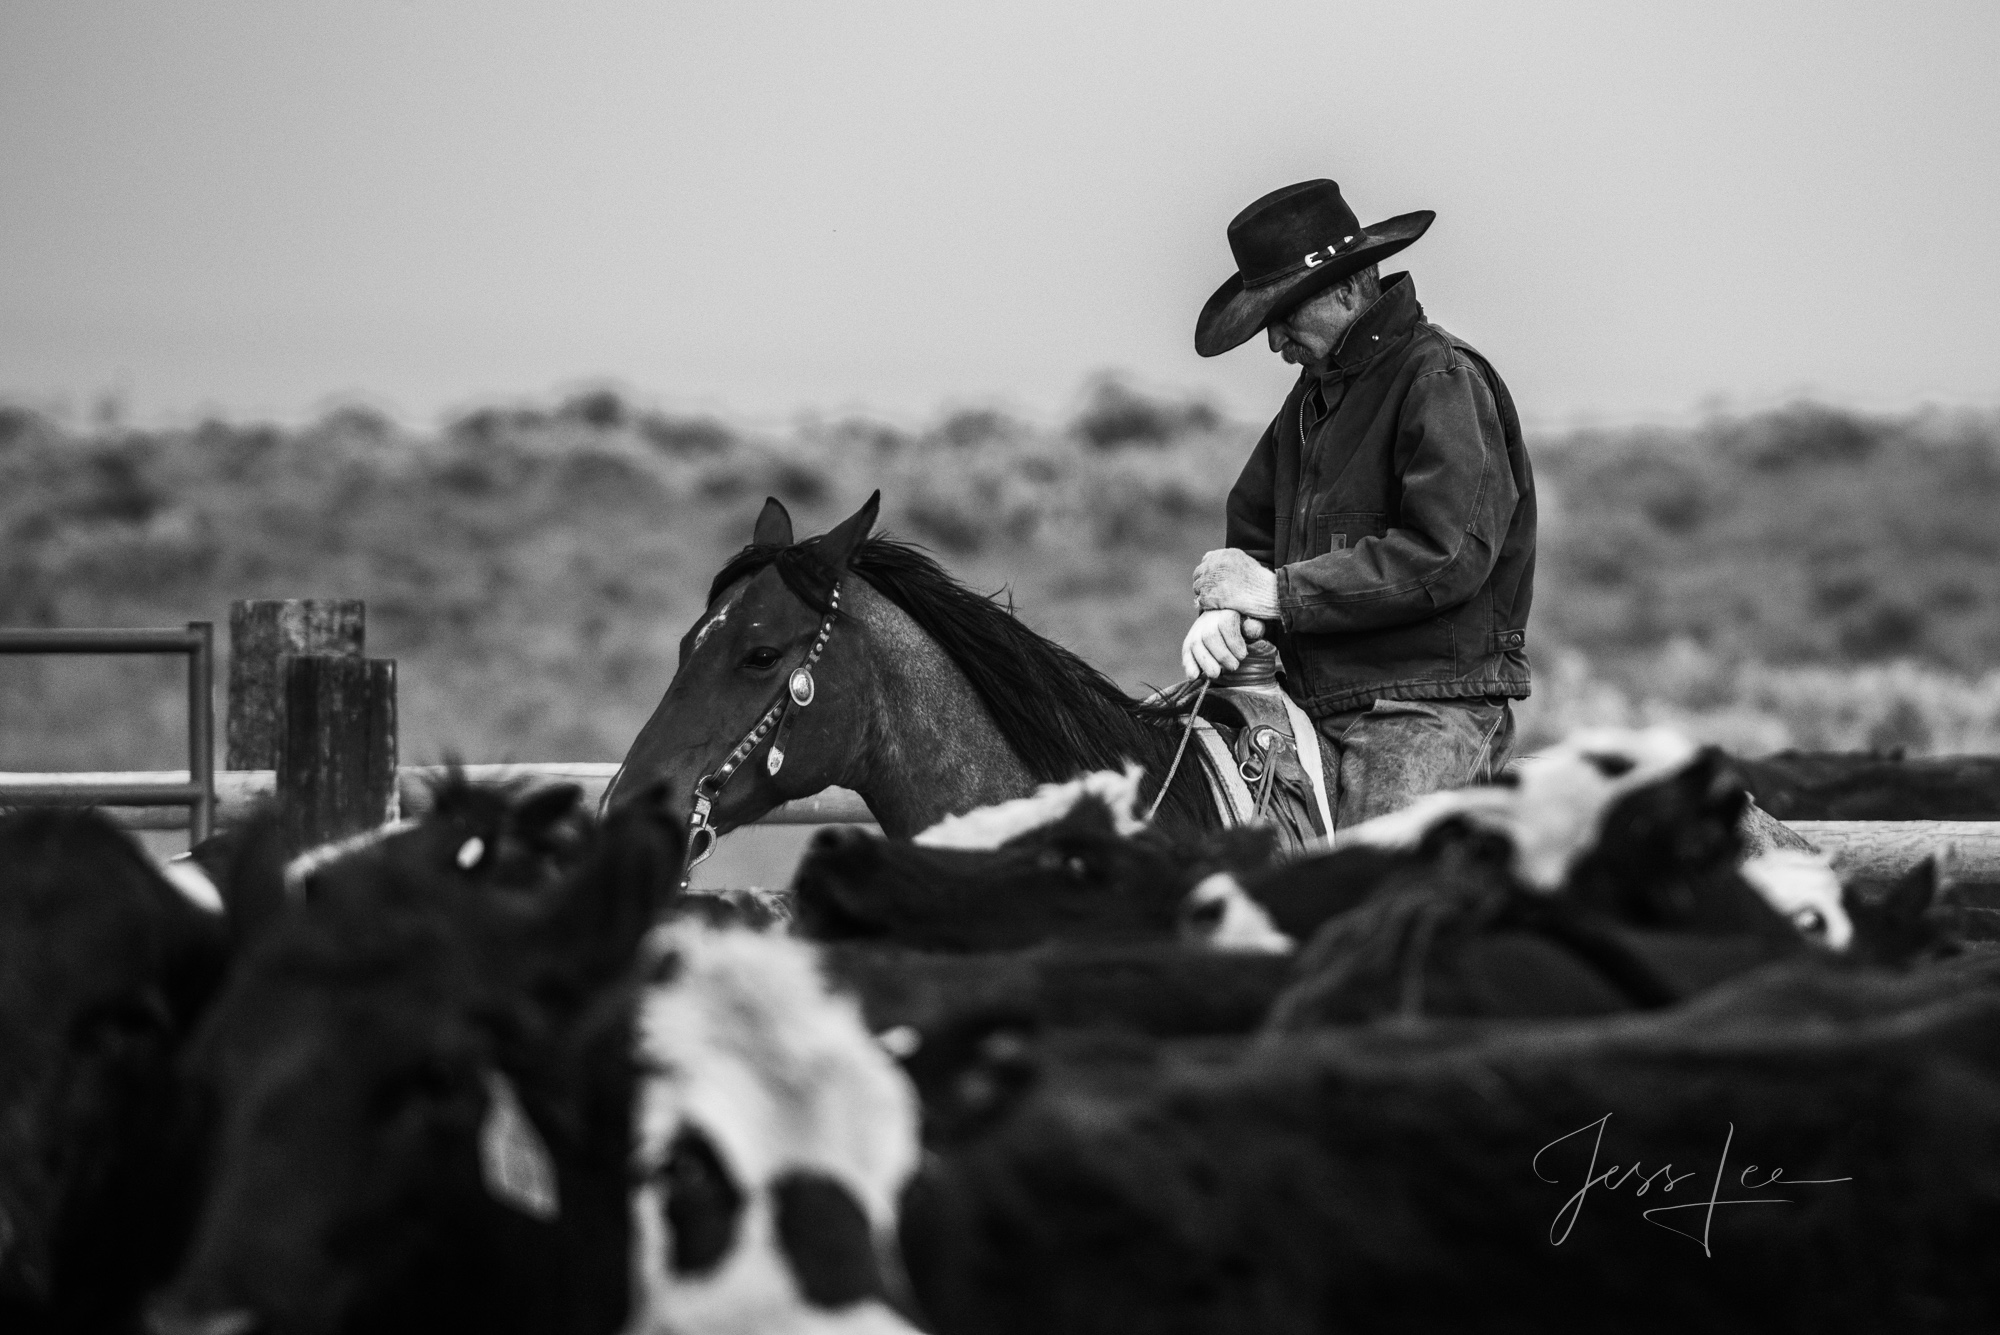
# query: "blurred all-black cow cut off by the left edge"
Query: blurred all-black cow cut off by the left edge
{"points": [[105, 968]]}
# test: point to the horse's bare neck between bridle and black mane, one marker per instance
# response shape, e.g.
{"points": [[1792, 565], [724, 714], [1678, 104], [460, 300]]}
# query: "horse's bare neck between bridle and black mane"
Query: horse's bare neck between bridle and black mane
{"points": [[931, 746]]}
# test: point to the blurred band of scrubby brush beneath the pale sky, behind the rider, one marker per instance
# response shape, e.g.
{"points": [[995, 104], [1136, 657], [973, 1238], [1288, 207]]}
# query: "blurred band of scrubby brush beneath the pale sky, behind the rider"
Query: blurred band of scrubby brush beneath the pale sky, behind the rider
{"points": [[1791, 579]]}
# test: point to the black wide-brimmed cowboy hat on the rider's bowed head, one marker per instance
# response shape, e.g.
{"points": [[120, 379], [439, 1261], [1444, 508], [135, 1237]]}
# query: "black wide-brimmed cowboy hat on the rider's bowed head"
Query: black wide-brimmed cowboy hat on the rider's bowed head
{"points": [[1289, 247]]}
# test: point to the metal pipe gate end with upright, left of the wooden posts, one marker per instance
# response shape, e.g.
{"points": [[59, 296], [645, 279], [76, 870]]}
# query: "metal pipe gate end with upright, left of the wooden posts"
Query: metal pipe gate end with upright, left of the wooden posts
{"points": [[193, 790]]}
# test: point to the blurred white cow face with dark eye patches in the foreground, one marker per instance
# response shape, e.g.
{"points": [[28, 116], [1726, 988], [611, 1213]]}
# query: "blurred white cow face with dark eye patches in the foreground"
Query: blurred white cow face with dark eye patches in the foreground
{"points": [[773, 1142]]}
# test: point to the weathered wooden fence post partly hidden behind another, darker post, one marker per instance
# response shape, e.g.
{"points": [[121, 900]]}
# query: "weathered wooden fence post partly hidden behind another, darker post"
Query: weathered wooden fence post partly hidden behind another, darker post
{"points": [[261, 633]]}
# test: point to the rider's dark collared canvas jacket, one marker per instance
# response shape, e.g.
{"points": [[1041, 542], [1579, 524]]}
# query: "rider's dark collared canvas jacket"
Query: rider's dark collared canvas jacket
{"points": [[1393, 497]]}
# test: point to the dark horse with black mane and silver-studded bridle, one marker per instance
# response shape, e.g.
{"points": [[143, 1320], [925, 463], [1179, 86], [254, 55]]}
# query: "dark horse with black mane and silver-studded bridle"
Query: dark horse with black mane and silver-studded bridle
{"points": [[857, 661]]}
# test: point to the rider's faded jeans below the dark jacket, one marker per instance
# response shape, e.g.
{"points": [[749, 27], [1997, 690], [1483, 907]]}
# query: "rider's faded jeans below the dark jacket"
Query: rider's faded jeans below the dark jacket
{"points": [[1393, 752]]}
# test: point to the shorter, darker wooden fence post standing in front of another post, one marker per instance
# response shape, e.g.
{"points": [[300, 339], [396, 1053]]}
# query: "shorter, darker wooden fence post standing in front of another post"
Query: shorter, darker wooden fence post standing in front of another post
{"points": [[337, 752]]}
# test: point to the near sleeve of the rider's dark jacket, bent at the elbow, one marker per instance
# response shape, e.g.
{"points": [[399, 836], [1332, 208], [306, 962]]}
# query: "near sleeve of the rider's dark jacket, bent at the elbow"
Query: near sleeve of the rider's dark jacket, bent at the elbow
{"points": [[1457, 501]]}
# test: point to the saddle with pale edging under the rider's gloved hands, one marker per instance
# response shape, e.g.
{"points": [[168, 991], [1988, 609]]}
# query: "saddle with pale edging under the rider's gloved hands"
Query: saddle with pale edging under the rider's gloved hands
{"points": [[1267, 754]]}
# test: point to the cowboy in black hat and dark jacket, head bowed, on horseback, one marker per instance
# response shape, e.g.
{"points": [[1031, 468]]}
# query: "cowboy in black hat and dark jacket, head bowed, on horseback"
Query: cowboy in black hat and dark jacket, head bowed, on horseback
{"points": [[1383, 531]]}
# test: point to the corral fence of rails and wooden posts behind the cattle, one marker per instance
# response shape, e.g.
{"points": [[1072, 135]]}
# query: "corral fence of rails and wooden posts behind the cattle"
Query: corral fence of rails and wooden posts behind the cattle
{"points": [[311, 722]]}
